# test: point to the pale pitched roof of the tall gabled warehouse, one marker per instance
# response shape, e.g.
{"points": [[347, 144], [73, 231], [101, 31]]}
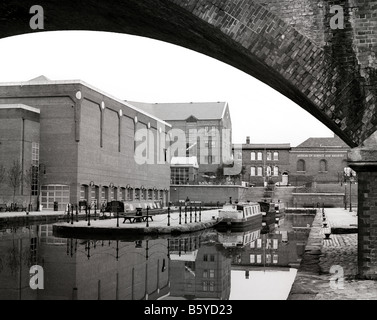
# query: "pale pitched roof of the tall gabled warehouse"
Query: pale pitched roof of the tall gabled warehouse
{"points": [[182, 111]]}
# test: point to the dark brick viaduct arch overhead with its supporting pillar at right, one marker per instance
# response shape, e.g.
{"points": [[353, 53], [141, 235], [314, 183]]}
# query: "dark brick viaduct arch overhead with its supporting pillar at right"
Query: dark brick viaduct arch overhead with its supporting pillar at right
{"points": [[287, 44]]}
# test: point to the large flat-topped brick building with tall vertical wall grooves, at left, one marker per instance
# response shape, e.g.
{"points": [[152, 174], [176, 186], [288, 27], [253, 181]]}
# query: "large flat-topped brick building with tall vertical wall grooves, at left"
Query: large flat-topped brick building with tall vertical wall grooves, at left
{"points": [[83, 143]]}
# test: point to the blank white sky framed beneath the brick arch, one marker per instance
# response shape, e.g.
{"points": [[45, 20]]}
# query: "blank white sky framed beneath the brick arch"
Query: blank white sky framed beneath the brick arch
{"points": [[141, 69]]}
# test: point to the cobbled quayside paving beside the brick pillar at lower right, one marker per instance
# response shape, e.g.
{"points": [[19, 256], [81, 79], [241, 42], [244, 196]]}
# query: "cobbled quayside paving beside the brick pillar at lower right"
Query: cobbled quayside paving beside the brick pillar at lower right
{"points": [[333, 274]]}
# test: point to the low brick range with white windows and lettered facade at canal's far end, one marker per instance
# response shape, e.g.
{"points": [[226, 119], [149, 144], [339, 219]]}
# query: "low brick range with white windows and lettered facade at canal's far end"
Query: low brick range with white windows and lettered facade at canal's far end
{"points": [[320, 160]]}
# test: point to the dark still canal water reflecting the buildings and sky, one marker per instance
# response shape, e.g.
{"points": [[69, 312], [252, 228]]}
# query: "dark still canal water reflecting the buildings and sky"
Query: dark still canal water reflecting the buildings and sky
{"points": [[252, 264]]}
